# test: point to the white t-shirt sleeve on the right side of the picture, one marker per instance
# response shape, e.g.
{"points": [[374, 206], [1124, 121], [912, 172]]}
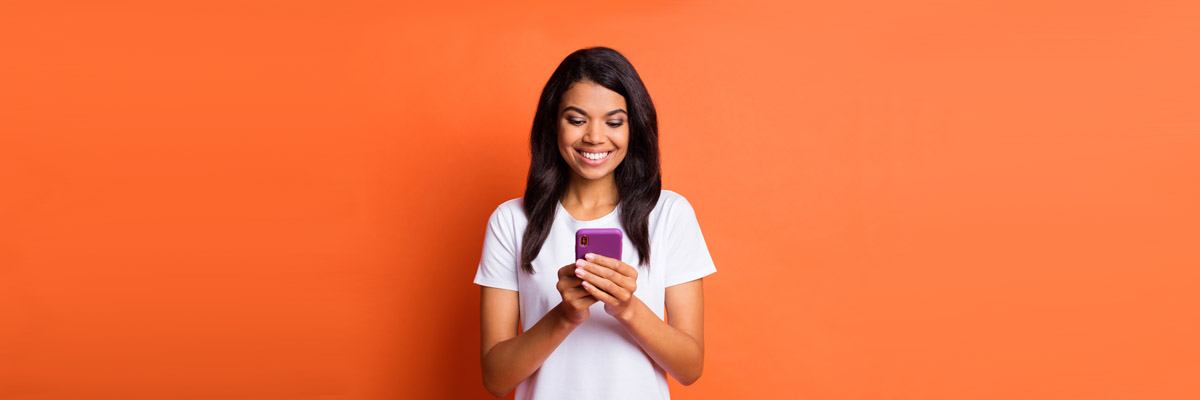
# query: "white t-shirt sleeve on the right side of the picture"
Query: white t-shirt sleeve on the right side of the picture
{"points": [[687, 254]]}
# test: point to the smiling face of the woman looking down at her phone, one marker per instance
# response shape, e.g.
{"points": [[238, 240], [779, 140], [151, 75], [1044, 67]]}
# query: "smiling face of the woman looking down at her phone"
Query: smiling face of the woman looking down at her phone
{"points": [[593, 129]]}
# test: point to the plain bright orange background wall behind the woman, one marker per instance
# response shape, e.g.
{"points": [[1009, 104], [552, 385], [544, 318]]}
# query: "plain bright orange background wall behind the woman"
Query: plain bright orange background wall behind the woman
{"points": [[910, 200]]}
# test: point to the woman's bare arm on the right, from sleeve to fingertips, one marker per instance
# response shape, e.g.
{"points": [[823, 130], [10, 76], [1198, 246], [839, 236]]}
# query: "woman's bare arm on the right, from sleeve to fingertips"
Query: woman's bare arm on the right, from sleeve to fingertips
{"points": [[679, 347]]}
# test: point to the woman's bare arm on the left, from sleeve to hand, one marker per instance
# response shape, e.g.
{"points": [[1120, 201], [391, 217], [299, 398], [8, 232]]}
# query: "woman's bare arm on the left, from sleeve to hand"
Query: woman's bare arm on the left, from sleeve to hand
{"points": [[508, 357]]}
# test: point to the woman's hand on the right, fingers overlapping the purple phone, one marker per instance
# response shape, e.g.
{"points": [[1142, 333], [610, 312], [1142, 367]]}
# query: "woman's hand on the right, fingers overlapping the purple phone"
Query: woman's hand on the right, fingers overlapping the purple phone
{"points": [[611, 282]]}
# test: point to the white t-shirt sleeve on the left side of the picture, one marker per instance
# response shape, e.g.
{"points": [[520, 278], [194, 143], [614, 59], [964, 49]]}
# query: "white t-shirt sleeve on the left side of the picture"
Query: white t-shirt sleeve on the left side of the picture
{"points": [[499, 264]]}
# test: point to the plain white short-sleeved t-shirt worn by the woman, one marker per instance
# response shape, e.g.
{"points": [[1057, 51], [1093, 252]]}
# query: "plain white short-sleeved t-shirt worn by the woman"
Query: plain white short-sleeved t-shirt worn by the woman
{"points": [[599, 360]]}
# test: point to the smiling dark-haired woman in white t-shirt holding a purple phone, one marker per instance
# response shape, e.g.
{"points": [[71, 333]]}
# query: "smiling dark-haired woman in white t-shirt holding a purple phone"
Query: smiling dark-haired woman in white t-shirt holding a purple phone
{"points": [[597, 329]]}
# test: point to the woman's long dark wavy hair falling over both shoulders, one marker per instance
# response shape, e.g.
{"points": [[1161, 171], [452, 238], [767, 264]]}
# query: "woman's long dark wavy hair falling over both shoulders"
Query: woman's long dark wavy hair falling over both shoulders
{"points": [[639, 177]]}
